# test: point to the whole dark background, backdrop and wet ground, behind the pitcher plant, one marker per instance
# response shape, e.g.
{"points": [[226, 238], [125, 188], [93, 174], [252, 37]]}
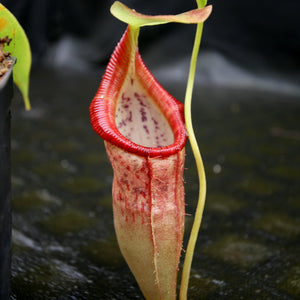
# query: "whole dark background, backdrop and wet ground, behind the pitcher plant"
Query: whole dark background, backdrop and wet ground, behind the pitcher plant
{"points": [[246, 108]]}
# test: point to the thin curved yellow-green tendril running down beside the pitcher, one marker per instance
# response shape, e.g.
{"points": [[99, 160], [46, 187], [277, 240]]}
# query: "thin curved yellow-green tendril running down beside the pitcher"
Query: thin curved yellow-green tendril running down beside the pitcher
{"points": [[200, 168]]}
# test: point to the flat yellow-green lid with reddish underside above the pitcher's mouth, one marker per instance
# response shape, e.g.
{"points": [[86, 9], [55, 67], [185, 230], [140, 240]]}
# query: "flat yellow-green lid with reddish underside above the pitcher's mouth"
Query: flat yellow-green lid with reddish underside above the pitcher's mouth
{"points": [[130, 16]]}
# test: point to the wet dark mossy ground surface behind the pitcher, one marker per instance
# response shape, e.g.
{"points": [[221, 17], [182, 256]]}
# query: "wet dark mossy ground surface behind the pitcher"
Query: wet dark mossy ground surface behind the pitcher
{"points": [[64, 245]]}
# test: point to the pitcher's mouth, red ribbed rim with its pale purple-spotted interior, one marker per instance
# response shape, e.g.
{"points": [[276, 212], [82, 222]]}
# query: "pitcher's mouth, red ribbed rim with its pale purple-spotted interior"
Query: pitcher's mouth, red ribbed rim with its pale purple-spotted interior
{"points": [[131, 109]]}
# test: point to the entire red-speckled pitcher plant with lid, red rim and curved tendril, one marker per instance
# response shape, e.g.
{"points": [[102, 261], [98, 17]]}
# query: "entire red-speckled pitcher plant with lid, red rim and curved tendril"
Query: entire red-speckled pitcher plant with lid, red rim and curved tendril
{"points": [[145, 131]]}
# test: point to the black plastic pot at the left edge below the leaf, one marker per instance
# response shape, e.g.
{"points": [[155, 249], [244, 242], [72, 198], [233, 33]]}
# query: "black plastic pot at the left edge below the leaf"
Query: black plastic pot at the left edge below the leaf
{"points": [[6, 93]]}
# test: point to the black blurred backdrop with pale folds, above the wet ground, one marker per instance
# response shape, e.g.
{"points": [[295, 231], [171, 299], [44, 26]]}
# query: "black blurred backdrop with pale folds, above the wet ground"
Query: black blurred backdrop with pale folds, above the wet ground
{"points": [[245, 43]]}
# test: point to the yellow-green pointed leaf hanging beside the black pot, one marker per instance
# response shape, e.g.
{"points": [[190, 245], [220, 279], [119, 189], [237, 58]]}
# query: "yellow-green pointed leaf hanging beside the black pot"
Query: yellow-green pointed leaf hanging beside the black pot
{"points": [[20, 48]]}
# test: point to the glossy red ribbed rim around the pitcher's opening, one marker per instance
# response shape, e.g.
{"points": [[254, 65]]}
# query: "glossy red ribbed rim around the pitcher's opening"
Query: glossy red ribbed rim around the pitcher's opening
{"points": [[119, 72]]}
